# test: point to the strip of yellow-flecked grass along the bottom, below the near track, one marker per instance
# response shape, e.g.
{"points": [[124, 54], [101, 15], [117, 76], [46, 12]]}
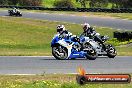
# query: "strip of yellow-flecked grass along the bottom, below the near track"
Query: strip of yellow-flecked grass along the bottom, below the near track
{"points": [[50, 81]]}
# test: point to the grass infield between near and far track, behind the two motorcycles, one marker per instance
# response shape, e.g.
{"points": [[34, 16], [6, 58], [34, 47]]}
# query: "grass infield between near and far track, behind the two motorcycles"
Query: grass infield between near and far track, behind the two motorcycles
{"points": [[28, 37]]}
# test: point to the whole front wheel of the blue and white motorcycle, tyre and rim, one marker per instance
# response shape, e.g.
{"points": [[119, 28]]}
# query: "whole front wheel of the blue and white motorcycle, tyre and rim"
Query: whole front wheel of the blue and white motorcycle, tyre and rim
{"points": [[59, 52]]}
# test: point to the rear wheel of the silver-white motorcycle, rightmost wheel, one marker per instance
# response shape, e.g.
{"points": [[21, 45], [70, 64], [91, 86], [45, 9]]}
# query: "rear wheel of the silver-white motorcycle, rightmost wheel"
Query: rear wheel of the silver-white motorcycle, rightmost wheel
{"points": [[111, 51]]}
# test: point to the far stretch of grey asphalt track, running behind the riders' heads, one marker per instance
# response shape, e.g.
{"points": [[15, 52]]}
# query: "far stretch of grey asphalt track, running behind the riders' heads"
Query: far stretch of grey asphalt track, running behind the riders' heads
{"points": [[97, 21]]}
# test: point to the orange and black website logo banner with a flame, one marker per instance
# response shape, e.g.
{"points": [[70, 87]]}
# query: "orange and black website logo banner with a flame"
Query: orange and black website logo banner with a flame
{"points": [[83, 78]]}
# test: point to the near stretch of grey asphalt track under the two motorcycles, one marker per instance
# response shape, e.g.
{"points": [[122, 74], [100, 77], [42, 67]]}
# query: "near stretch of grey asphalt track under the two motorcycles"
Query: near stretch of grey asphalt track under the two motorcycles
{"points": [[41, 65]]}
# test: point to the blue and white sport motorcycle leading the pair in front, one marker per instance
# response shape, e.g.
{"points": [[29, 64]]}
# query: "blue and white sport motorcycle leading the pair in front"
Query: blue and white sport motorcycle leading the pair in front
{"points": [[71, 48]]}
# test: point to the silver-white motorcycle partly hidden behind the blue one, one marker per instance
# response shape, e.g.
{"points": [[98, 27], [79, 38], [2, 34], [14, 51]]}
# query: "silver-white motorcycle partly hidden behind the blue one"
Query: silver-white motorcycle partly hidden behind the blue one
{"points": [[101, 49]]}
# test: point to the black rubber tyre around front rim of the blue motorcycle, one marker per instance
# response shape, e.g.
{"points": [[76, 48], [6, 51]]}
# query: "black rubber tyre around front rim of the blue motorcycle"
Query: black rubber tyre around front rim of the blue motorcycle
{"points": [[64, 51]]}
